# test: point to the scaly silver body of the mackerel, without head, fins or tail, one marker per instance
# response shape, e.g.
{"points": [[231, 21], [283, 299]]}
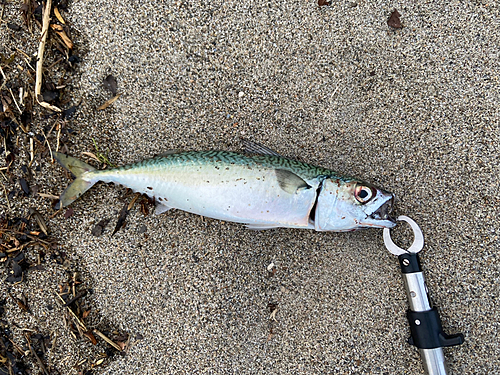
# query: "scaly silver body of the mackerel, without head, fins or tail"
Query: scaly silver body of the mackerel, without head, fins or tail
{"points": [[223, 185]]}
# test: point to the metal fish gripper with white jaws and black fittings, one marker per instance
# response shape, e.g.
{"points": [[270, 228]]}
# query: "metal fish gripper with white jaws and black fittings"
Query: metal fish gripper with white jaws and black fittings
{"points": [[425, 324]]}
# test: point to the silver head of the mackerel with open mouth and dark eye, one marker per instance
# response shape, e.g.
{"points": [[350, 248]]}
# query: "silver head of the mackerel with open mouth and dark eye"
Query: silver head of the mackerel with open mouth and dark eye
{"points": [[350, 205]]}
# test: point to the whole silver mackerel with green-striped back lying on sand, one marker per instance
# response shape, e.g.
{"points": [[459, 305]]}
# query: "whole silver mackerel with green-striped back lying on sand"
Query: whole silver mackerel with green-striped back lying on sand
{"points": [[258, 188]]}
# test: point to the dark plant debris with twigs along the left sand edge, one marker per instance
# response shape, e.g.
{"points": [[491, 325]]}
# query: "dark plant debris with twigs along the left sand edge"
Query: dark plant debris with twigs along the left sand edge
{"points": [[36, 109]]}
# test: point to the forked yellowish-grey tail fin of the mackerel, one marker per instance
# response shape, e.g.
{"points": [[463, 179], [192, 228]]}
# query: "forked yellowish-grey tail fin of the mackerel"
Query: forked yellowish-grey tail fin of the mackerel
{"points": [[80, 185]]}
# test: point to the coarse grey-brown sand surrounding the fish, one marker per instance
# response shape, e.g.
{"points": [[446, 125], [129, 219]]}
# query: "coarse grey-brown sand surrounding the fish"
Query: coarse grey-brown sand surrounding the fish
{"points": [[413, 110]]}
